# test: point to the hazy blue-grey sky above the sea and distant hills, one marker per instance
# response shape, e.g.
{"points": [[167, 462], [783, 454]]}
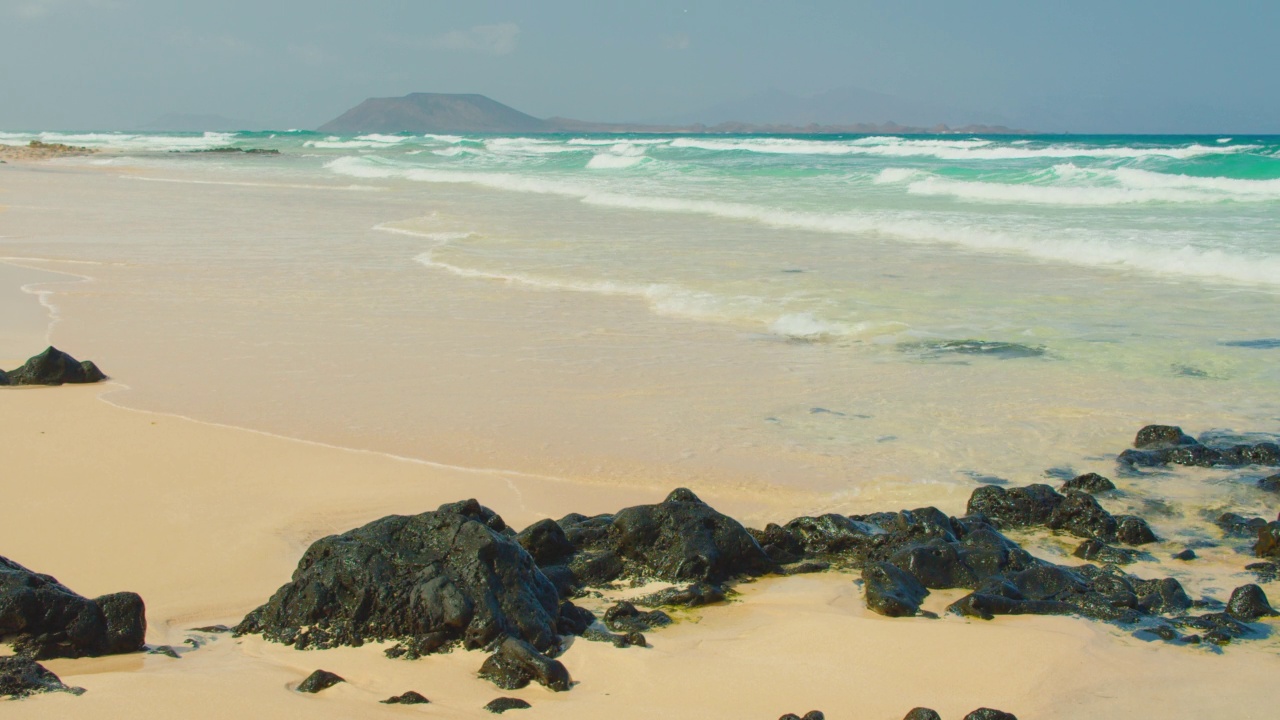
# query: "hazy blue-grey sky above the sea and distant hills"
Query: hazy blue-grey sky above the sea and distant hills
{"points": [[1082, 66]]}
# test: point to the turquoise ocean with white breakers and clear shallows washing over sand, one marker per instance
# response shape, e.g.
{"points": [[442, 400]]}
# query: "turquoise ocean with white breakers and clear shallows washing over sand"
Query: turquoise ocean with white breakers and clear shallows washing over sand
{"points": [[840, 321]]}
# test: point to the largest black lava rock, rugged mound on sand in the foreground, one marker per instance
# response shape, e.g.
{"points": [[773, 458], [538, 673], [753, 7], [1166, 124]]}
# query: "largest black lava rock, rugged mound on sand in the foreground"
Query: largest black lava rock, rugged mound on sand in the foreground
{"points": [[431, 581]]}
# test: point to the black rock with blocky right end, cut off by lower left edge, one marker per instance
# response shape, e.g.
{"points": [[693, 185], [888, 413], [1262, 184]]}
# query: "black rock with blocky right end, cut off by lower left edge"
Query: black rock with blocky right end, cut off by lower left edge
{"points": [[45, 619]]}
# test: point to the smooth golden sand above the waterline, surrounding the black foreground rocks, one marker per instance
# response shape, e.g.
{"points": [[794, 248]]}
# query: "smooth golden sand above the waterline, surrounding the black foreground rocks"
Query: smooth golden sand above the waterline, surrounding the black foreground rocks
{"points": [[205, 522]]}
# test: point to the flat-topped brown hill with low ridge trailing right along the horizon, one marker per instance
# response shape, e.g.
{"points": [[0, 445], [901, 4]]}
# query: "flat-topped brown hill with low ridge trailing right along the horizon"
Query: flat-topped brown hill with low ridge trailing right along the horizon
{"points": [[446, 113]]}
